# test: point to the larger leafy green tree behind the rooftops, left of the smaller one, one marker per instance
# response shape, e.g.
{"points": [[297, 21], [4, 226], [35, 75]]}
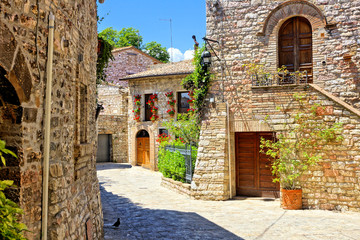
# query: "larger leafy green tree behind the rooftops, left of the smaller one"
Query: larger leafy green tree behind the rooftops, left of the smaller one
{"points": [[123, 38]]}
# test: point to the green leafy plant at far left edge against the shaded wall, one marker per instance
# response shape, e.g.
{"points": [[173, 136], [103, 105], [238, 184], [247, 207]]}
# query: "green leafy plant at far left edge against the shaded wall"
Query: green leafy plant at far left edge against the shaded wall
{"points": [[10, 213]]}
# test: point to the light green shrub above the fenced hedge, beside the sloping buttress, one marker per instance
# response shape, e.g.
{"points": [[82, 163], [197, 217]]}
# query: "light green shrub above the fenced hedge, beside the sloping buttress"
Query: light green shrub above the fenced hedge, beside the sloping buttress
{"points": [[186, 127]]}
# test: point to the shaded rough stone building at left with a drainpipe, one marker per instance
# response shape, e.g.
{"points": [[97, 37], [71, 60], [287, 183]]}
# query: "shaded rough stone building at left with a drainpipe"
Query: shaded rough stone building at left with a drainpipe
{"points": [[25, 43]]}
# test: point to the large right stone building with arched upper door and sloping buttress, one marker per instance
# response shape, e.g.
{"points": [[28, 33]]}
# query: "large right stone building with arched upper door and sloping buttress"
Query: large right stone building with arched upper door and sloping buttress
{"points": [[319, 36]]}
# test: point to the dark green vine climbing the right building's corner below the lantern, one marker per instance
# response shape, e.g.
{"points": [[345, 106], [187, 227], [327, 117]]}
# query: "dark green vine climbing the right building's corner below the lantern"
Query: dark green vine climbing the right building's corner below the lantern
{"points": [[198, 82]]}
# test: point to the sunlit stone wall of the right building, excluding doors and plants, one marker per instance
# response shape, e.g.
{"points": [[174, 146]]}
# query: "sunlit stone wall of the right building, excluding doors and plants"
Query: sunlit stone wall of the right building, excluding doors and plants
{"points": [[247, 32]]}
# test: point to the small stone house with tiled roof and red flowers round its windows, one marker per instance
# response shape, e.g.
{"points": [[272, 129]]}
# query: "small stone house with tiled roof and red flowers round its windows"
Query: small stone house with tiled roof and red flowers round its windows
{"points": [[160, 79]]}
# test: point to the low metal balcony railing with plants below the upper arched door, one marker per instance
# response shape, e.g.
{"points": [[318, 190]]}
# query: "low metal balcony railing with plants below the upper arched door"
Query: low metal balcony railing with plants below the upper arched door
{"points": [[281, 78]]}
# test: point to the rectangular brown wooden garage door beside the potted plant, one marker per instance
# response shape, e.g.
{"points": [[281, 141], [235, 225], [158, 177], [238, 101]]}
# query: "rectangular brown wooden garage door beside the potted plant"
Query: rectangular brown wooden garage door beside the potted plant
{"points": [[253, 173]]}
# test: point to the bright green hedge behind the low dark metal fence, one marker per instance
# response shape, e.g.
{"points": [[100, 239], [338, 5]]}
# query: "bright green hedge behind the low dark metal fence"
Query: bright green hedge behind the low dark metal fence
{"points": [[172, 164]]}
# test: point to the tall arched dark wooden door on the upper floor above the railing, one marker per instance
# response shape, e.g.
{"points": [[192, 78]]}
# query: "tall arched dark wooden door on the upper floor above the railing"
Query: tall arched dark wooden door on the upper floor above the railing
{"points": [[295, 46]]}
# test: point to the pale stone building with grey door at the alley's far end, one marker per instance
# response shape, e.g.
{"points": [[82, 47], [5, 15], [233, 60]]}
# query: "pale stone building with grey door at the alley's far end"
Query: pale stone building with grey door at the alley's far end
{"points": [[113, 124]]}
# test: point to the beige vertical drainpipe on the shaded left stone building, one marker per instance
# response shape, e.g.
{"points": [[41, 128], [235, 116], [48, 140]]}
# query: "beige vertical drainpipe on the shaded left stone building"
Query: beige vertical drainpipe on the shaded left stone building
{"points": [[45, 200]]}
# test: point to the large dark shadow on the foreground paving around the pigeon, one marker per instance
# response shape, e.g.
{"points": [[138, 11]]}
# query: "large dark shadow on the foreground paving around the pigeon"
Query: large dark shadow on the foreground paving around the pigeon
{"points": [[144, 223]]}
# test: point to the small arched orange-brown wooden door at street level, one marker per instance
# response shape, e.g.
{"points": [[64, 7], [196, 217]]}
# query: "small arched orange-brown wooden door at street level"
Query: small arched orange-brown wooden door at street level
{"points": [[143, 148]]}
